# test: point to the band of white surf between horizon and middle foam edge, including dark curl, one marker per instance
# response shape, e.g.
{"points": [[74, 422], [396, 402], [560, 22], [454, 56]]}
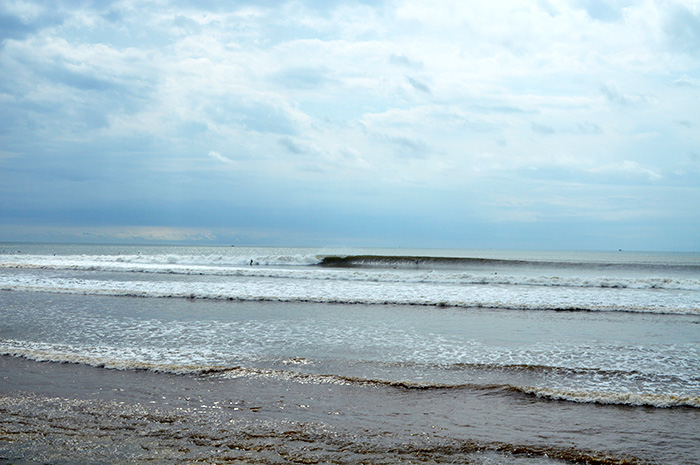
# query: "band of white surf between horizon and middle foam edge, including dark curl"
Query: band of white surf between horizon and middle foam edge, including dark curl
{"points": [[641, 283]]}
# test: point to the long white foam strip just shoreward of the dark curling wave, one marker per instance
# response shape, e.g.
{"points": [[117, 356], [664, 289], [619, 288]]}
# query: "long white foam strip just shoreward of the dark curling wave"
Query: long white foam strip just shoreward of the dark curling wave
{"points": [[344, 293]]}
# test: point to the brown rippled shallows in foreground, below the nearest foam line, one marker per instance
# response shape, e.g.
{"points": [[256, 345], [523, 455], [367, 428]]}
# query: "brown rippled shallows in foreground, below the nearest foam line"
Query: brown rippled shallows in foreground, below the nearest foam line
{"points": [[151, 417]]}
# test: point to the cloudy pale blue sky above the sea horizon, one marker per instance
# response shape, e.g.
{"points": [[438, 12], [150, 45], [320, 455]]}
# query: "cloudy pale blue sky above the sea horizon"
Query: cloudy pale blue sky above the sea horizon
{"points": [[537, 124]]}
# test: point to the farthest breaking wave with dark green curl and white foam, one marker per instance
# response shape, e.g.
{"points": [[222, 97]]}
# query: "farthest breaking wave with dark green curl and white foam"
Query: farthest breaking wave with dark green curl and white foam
{"points": [[370, 268]]}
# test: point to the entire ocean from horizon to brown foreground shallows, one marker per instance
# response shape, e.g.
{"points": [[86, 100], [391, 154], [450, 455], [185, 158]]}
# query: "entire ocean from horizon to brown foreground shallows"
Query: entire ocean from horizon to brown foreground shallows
{"points": [[182, 354]]}
